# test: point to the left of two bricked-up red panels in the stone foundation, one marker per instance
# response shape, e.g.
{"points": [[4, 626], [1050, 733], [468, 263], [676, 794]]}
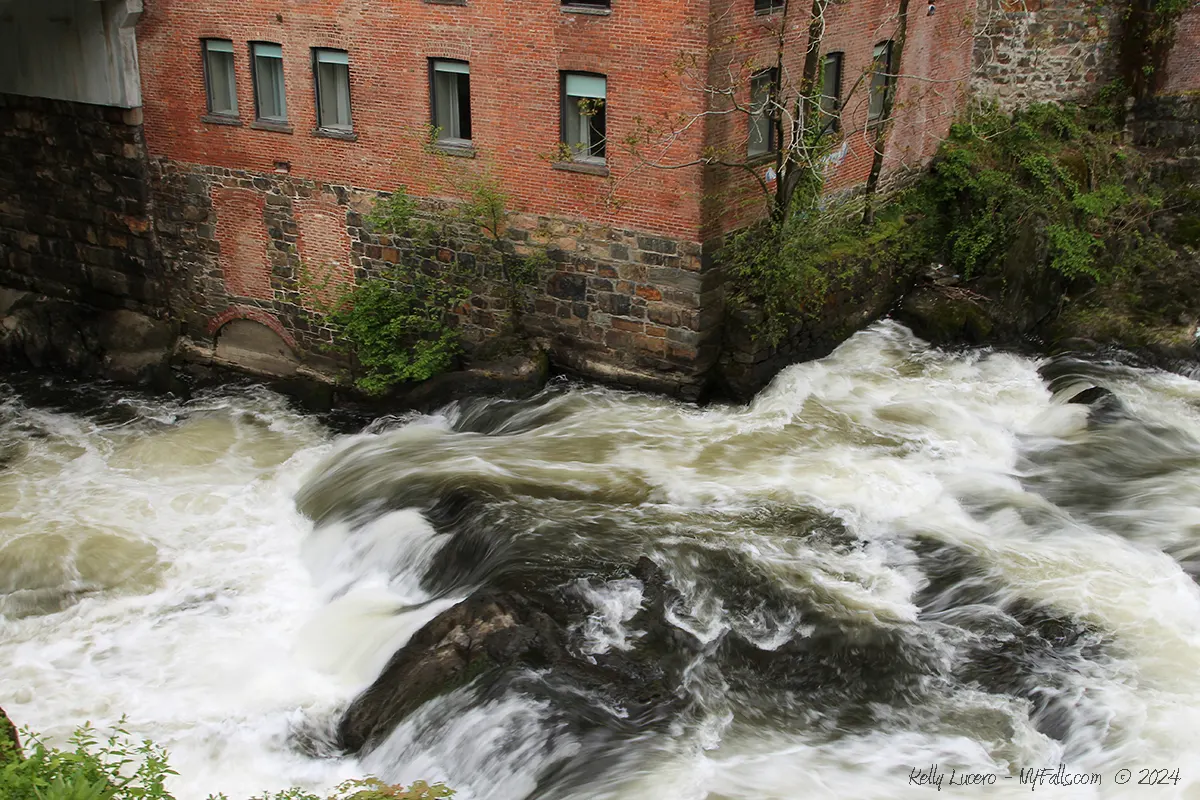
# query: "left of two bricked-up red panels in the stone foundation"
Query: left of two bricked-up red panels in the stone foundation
{"points": [[241, 237]]}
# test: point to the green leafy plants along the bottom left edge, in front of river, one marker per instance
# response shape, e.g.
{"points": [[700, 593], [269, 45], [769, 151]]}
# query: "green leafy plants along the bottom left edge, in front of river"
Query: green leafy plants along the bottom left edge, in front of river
{"points": [[119, 768]]}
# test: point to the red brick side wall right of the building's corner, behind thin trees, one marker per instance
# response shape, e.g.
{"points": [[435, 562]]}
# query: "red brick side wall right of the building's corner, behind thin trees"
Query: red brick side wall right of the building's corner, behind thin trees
{"points": [[931, 92]]}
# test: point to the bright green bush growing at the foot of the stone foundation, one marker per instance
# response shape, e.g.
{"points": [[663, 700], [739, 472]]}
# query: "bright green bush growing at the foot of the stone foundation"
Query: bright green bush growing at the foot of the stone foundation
{"points": [[398, 326]]}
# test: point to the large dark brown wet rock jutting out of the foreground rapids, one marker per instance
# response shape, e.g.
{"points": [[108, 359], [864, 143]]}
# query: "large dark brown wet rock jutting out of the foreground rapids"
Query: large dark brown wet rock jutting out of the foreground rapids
{"points": [[518, 627]]}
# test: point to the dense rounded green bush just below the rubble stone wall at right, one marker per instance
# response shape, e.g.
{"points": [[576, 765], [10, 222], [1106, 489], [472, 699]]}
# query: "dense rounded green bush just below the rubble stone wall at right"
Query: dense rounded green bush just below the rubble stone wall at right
{"points": [[1057, 176]]}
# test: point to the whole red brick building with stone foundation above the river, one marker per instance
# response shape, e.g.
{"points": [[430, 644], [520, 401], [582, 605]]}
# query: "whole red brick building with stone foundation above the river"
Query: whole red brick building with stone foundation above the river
{"points": [[236, 94]]}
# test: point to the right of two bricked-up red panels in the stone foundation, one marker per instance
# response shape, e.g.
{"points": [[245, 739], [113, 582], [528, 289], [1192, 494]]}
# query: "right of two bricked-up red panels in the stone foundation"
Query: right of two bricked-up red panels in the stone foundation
{"points": [[325, 248]]}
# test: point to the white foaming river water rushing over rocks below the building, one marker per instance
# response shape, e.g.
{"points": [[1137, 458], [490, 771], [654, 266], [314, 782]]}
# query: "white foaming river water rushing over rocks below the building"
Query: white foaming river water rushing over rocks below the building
{"points": [[965, 570]]}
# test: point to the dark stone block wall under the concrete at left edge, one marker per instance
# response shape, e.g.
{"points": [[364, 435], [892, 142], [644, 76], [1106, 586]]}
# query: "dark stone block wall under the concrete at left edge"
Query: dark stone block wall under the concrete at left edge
{"points": [[75, 216]]}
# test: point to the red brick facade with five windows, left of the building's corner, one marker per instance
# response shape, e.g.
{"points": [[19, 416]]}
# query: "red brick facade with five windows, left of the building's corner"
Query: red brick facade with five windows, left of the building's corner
{"points": [[517, 52]]}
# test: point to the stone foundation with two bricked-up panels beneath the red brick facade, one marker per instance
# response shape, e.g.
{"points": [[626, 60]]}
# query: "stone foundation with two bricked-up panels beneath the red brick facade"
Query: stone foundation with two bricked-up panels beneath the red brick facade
{"points": [[615, 305]]}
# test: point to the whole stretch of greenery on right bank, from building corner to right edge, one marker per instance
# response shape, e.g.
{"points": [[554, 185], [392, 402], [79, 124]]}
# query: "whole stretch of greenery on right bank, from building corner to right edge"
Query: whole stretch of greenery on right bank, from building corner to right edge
{"points": [[1051, 195]]}
